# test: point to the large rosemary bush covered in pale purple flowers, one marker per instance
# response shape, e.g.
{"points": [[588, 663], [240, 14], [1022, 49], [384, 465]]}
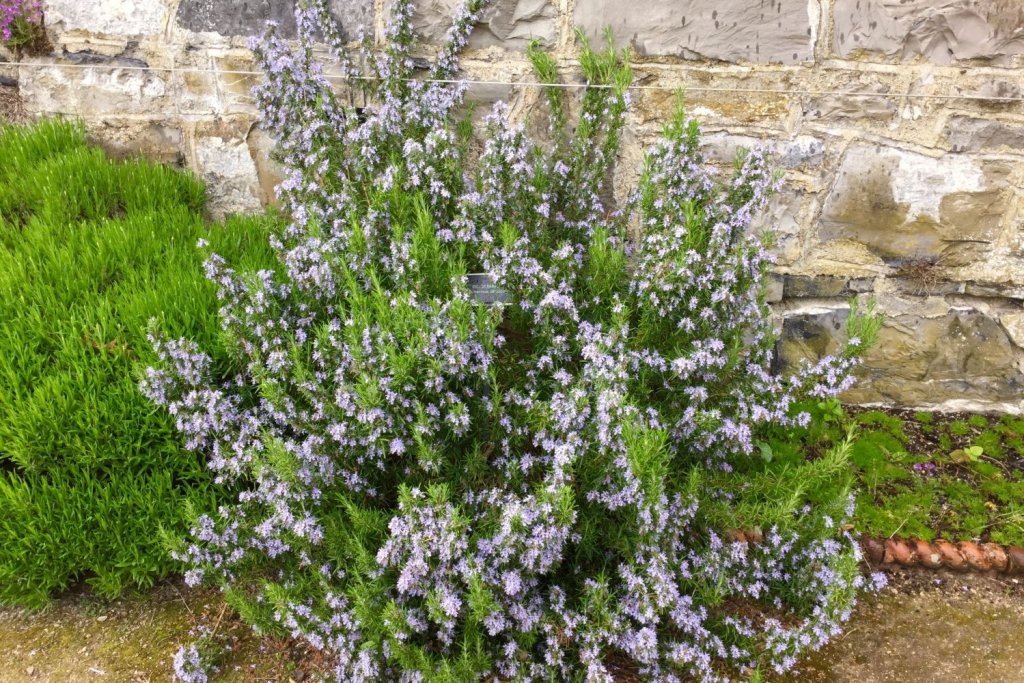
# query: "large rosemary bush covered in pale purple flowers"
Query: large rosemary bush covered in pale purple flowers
{"points": [[435, 490]]}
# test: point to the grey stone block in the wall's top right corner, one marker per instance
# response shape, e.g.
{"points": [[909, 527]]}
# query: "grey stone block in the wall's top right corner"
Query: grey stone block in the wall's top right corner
{"points": [[940, 31]]}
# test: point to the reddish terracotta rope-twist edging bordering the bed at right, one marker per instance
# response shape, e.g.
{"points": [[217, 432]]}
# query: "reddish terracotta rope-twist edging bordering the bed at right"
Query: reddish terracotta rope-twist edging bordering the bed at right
{"points": [[941, 554]]}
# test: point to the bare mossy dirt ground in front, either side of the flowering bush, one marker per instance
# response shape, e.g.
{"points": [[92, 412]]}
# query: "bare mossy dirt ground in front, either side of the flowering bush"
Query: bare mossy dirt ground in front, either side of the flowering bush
{"points": [[926, 626]]}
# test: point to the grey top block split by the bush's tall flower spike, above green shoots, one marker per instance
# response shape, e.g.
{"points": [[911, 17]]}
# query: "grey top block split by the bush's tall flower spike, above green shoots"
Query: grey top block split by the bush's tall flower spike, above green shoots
{"points": [[511, 24]]}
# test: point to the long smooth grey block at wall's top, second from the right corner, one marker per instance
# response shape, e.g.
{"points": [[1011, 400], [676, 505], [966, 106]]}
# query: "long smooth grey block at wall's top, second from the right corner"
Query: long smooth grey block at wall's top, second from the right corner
{"points": [[773, 31]]}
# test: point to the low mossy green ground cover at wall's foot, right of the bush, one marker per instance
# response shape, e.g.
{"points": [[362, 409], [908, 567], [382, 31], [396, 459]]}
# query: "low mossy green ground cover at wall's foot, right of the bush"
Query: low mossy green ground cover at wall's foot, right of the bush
{"points": [[929, 476]]}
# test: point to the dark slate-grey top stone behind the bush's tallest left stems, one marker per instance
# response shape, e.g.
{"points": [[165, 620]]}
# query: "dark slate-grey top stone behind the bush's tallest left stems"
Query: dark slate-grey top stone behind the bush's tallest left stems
{"points": [[249, 18]]}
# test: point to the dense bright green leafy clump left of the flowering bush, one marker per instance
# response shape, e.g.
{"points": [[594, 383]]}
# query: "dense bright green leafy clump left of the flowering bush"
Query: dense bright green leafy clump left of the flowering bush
{"points": [[91, 251]]}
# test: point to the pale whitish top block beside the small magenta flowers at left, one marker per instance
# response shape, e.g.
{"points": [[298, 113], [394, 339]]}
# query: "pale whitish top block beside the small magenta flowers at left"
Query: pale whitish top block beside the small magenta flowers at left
{"points": [[122, 18]]}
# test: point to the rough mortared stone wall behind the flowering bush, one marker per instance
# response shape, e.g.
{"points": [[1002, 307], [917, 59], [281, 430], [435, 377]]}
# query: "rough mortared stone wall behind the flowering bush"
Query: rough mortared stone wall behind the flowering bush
{"points": [[905, 179]]}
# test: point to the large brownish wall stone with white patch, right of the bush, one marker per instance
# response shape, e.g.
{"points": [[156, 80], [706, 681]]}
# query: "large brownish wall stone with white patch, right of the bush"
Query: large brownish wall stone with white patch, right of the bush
{"points": [[905, 205]]}
